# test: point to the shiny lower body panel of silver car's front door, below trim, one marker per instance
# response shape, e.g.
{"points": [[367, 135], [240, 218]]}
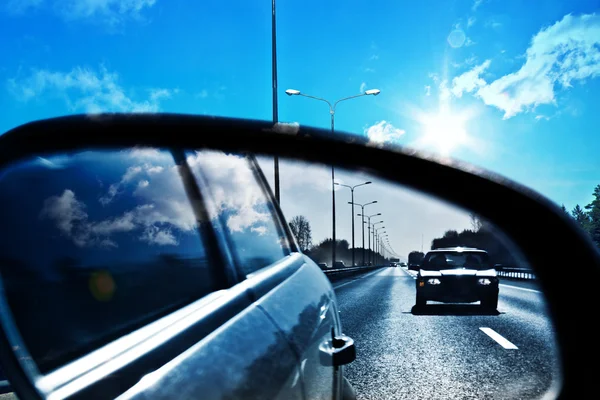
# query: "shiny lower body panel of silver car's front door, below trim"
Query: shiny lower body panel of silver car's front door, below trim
{"points": [[245, 358]]}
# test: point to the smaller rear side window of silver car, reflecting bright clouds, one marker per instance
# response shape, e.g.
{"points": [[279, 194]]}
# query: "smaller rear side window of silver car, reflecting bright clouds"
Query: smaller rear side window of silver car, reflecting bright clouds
{"points": [[242, 206]]}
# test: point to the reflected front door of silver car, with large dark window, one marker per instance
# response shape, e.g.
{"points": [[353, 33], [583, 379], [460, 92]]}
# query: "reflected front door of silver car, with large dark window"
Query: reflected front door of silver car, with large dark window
{"points": [[129, 292]]}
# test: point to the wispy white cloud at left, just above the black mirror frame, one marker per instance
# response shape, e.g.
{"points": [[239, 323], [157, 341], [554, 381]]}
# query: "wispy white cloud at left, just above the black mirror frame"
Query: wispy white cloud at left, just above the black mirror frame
{"points": [[84, 89]]}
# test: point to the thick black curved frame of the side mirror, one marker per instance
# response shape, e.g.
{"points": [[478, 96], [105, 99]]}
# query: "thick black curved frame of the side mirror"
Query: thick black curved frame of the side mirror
{"points": [[558, 243]]}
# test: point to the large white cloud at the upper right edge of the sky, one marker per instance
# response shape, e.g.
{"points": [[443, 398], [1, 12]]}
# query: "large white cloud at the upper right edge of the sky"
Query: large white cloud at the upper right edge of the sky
{"points": [[566, 52]]}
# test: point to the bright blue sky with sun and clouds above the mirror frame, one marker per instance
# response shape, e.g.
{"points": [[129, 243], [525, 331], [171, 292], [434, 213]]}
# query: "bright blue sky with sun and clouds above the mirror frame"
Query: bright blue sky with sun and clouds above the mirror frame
{"points": [[510, 85]]}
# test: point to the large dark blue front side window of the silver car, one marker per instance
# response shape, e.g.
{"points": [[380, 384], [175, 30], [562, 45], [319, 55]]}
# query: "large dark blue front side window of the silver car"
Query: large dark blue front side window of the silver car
{"points": [[119, 248]]}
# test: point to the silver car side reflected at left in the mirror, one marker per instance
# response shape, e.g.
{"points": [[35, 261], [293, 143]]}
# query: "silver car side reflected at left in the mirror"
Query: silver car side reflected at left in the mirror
{"points": [[124, 252]]}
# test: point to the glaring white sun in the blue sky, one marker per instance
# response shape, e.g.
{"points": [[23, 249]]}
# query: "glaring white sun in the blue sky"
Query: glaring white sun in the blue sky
{"points": [[444, 130]]}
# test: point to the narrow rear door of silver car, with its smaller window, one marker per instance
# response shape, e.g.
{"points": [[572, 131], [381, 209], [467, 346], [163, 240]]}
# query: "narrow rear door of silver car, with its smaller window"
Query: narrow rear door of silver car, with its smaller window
{"points": [[287, 285]]}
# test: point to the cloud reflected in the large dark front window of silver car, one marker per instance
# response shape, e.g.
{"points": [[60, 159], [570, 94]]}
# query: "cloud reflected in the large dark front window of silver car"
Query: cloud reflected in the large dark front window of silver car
{"points": [[162, 207]]}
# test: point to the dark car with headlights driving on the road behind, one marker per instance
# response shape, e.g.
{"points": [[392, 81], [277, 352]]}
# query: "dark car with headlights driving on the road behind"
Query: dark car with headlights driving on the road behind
{"points": [[457, 275]]}
